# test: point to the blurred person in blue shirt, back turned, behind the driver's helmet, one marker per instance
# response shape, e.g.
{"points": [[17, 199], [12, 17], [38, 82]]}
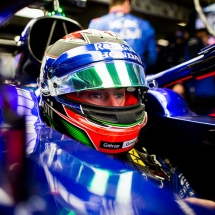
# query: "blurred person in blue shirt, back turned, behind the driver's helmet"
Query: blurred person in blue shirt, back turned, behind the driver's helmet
{"points": [[138, 33]]}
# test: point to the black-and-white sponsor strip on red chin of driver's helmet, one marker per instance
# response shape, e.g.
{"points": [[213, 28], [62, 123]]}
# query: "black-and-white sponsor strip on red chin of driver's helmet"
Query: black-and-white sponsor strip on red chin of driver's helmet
{"points": [[117, 145]]}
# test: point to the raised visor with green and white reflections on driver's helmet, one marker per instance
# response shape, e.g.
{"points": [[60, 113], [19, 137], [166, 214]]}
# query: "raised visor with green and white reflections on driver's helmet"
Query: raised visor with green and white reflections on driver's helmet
{"points": [[99, 76]]}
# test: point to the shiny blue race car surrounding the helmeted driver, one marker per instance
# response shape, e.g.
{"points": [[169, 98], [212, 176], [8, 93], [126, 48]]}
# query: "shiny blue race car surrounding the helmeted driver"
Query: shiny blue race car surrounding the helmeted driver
{"points": [[63, 176]]}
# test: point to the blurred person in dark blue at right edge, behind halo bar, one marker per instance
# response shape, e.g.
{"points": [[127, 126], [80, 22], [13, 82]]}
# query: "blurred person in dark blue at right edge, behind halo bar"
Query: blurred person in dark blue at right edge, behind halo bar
{"points": [[200, 93]]}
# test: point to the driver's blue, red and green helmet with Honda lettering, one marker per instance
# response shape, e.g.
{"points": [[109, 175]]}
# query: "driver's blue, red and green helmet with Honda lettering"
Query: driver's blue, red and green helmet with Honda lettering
{"points": [[87, 60]]}
